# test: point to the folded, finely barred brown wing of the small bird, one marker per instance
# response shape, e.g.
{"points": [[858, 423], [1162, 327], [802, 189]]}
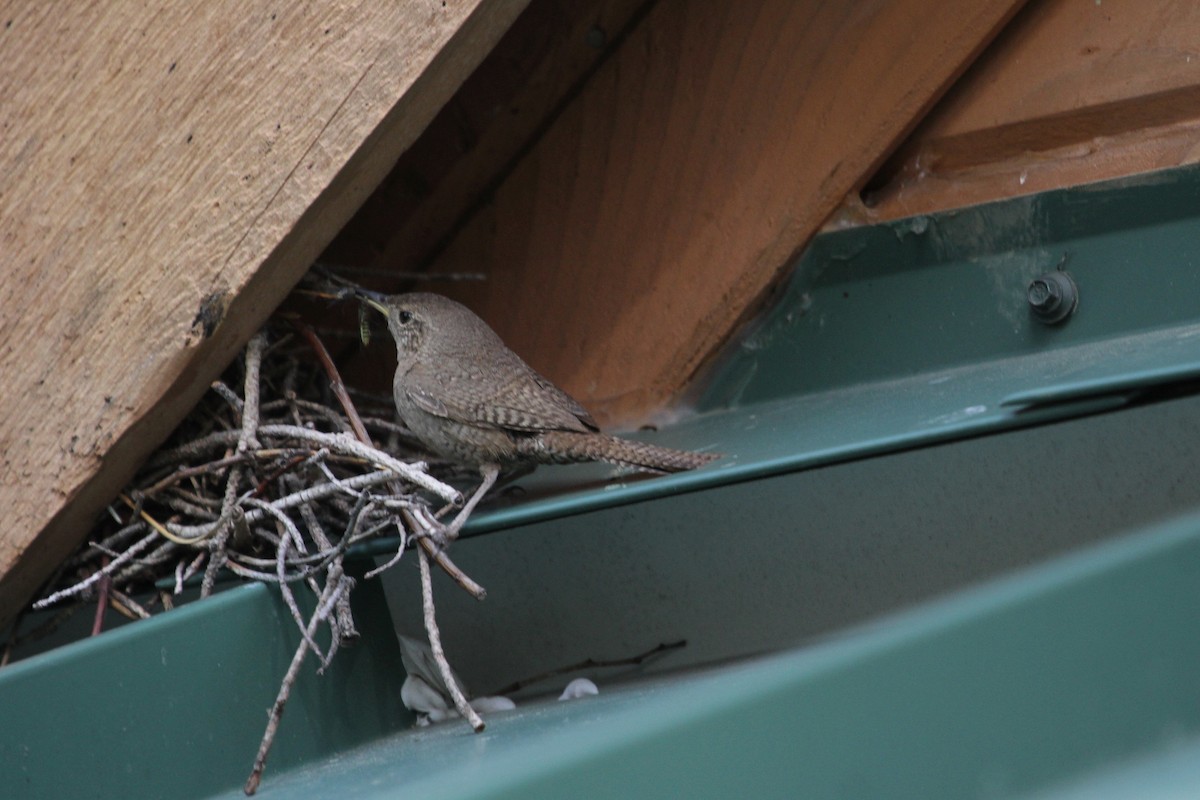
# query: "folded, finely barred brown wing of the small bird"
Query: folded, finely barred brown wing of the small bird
{"points": [[524, 402]]}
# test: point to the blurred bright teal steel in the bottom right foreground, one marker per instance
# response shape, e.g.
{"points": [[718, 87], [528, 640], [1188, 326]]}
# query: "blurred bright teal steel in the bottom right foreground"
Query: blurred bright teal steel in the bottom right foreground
{"points": [[995, 693]]}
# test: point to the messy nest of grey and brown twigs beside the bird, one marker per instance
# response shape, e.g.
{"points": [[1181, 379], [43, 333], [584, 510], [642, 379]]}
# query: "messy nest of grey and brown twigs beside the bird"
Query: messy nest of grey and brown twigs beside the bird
{"points": [[275, 483]]}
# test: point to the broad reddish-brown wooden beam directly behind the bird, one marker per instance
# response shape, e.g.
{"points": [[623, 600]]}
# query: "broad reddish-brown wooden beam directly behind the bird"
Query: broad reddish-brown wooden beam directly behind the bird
{"points": [[664, 202]]}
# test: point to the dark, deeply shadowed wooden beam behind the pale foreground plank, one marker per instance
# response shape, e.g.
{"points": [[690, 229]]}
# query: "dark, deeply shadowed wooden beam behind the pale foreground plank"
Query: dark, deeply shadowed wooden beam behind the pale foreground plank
{"points": [[481, 134]]}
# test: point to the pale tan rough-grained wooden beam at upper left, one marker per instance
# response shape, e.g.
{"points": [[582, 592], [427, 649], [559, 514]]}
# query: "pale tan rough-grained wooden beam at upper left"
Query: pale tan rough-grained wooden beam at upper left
{"points": [[167, 173]]}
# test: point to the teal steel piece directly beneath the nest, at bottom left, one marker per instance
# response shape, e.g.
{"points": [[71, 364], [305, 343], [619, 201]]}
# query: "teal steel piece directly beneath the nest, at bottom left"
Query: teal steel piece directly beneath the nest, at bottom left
{"points": [[175, 707]]}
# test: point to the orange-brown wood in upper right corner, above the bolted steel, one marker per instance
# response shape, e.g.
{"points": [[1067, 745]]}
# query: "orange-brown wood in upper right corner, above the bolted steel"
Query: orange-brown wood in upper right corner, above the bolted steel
{"points": [[1071, 93]]}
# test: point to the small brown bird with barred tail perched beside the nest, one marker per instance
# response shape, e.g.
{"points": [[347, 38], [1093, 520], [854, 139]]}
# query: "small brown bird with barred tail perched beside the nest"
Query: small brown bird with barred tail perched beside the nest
{"points": [[472, 400]]}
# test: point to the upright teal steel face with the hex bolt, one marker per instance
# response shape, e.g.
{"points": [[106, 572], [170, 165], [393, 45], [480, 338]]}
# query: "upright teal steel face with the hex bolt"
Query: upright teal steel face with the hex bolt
{"points": [[932, 294]]}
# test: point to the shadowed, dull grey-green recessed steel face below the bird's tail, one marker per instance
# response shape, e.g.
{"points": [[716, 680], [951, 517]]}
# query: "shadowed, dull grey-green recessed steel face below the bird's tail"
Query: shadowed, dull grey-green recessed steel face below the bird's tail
{"points": [[785, 560]]}
